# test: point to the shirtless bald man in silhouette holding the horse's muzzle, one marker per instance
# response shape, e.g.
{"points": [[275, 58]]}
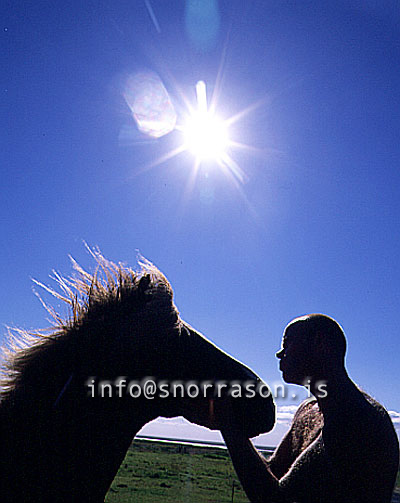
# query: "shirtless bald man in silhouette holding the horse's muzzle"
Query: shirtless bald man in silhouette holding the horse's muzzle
{"points": [[341, 447]]}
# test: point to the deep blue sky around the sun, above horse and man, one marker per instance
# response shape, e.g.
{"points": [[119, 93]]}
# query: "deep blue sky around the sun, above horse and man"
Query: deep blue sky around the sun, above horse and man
{"points": [[315, 226]]}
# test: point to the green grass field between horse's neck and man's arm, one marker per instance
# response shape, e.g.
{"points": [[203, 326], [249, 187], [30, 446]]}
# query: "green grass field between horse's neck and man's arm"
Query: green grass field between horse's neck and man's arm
{"points": [[171, 473]]}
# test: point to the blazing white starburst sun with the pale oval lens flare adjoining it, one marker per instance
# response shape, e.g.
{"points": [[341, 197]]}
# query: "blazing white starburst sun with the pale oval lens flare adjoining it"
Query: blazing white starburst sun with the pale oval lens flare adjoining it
{"points": [[203, 134]]}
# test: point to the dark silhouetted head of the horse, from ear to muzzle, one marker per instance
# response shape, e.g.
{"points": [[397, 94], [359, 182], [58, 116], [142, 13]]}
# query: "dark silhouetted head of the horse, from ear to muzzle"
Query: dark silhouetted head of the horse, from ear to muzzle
{"points": [[153, 349]]}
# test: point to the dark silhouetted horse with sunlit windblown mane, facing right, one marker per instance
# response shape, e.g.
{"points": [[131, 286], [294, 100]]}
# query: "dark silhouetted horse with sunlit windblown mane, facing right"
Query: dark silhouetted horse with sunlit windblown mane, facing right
{"points": [[60, 440]]}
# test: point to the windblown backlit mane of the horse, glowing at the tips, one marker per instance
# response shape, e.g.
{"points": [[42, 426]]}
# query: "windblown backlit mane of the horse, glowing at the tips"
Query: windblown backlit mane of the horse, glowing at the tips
{"points": [[145, 296]]}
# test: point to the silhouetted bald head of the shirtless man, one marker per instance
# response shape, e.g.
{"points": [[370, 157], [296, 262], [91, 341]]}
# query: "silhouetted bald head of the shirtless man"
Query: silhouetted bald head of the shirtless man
{"points": [[312, 346]]}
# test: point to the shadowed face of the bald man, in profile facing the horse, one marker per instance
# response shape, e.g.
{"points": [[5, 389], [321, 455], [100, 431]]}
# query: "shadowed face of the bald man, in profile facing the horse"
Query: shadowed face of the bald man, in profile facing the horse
{"points": [[295, 356]]}
